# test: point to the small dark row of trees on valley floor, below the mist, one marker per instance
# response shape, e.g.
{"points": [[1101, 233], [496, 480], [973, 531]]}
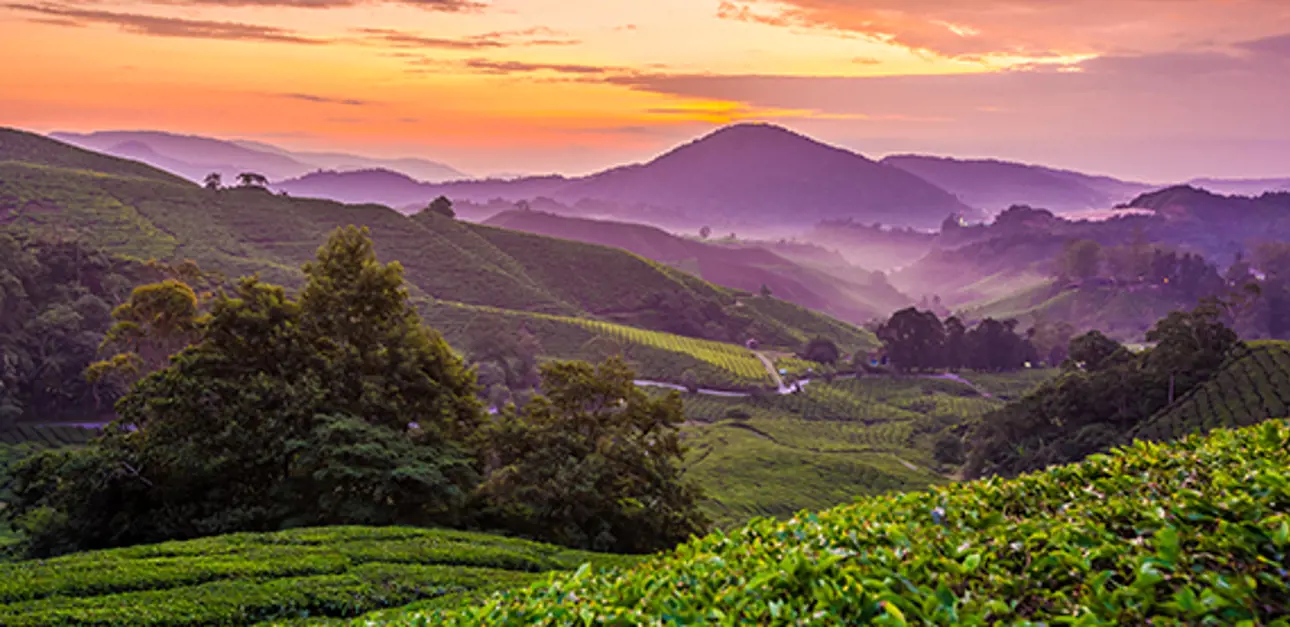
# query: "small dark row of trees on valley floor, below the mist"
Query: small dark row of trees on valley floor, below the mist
{"points": [[920, 341]]}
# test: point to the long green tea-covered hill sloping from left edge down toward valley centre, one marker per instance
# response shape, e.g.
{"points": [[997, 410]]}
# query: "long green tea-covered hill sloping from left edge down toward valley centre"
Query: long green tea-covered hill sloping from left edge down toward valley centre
{"points": [[135, 211]]}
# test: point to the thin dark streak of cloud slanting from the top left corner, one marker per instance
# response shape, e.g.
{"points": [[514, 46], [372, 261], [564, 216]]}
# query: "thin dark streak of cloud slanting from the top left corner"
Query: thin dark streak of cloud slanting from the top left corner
{"points": [[163, 26]]}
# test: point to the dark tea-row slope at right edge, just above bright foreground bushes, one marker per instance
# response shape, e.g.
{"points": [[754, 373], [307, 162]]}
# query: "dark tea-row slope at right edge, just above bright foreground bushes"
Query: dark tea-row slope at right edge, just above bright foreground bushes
{"points": [[1251, 390]]}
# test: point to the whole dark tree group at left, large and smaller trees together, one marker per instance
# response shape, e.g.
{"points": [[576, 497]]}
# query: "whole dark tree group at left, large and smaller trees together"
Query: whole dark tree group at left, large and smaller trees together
{"points": [[340, 407]]}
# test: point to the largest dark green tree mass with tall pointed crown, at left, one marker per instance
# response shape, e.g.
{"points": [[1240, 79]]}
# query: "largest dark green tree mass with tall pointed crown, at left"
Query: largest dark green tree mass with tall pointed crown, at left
{"points": [[337, 408]]}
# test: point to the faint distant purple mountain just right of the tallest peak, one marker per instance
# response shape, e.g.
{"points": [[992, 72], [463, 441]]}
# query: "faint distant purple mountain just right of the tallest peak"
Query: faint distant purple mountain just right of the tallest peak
{"points": [[994, 186]]}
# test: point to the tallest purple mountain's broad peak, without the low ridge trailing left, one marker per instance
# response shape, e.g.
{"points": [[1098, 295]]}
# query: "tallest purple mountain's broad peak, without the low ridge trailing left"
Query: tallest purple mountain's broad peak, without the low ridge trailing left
{"points": [[759, 174]]}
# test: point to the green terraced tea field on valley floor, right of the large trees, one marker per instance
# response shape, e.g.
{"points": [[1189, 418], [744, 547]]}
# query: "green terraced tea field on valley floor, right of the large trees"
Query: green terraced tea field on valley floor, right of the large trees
{"points": [[776, 456]]}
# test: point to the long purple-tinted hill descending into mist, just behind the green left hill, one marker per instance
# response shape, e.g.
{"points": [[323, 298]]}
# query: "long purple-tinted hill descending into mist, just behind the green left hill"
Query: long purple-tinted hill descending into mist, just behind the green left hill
{"points": [[842, 291]]}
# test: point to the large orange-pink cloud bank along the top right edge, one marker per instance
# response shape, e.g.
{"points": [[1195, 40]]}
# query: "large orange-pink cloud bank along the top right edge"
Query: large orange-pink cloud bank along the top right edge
{"points": [[975, 29]]}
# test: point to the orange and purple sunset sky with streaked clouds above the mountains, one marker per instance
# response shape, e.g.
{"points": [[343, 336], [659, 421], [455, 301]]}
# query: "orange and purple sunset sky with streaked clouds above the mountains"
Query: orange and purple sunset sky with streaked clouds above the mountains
{"points": [[1155, 91]]}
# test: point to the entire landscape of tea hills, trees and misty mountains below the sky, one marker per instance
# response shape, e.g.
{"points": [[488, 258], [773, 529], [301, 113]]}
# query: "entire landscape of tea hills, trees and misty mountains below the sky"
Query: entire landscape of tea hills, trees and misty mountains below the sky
{"points": [[575, 398]]}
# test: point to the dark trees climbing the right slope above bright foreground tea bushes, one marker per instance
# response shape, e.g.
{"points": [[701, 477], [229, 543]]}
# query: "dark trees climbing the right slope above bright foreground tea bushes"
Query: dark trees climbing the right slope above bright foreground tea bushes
{"points": [[1104, 394]]}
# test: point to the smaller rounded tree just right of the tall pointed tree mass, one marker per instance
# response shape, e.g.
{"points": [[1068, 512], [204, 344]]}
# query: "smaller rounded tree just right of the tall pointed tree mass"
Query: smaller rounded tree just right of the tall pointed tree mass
{"points": [[593, 464]]}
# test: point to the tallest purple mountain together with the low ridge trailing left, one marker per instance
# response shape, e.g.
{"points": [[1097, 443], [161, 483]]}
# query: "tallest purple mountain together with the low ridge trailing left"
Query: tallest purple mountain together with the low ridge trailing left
{"points": [[750, 175]]}
